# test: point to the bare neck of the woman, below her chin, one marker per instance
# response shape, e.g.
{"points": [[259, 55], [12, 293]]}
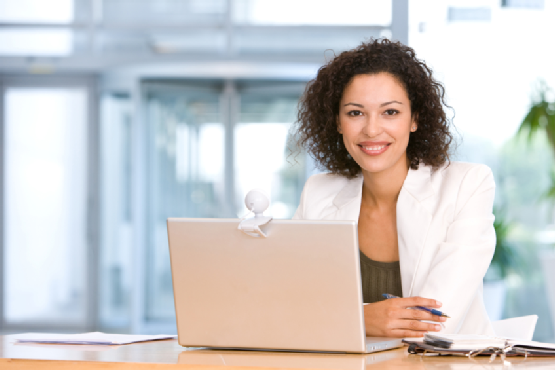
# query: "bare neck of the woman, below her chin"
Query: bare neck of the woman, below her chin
{"points": [[381, 189]]}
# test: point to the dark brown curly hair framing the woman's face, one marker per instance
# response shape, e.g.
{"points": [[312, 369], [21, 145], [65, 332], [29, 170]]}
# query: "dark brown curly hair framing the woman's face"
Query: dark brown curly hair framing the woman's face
{"points": [[319, 106]]}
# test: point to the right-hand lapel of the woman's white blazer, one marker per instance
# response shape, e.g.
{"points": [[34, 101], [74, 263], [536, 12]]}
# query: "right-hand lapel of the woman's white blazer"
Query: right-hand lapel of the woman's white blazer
{"points": [[414, 217]]}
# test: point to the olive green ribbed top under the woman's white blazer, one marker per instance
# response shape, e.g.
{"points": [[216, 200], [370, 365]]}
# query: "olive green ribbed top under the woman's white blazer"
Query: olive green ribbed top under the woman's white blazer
{"points": [[378, 278]]}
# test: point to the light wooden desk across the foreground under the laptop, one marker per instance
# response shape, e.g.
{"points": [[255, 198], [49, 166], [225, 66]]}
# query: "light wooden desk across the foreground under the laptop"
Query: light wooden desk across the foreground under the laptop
{"points": [[169, 355]]}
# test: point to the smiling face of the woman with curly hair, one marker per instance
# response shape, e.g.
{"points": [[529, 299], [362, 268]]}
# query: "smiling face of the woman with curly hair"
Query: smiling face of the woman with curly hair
{"points": [[375, 120]]}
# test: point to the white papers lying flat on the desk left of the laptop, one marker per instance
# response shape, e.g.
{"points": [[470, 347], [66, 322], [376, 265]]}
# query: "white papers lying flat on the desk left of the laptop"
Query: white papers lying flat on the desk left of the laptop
{"points": [[94, 338]]}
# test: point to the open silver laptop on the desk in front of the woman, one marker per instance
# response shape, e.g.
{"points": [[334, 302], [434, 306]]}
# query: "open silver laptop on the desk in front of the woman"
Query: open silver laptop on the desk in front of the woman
{"points": [[298, 289]]}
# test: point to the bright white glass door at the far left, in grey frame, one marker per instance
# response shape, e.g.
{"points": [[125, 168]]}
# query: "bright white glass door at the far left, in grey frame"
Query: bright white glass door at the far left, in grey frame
{"points": [[45, 213]]}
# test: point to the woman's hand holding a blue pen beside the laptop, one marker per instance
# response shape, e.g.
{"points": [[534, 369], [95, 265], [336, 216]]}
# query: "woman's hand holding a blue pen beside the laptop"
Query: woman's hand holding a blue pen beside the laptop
{"points": [[392, 318]]}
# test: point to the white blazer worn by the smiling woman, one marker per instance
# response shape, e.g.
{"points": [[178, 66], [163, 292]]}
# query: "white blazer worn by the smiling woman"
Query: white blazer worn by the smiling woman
{"points": [[445, 232]]}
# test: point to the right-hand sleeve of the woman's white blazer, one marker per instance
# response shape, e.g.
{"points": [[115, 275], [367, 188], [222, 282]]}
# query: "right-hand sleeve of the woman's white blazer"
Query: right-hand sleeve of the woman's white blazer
{"points": [[457, 270]]}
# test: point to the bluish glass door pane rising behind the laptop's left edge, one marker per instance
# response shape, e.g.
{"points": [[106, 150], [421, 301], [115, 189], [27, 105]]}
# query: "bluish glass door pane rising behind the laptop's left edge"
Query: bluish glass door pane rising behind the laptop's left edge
{"points": [[185, 150]]}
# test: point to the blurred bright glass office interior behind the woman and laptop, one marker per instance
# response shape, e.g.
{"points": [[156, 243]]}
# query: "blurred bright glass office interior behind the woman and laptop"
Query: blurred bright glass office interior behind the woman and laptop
{"points": [[116, 114]]}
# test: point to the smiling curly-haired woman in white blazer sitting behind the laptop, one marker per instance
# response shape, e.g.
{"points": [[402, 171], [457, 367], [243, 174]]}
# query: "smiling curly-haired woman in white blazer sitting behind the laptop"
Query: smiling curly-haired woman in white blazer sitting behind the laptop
{"points": [[373, 117]]}
